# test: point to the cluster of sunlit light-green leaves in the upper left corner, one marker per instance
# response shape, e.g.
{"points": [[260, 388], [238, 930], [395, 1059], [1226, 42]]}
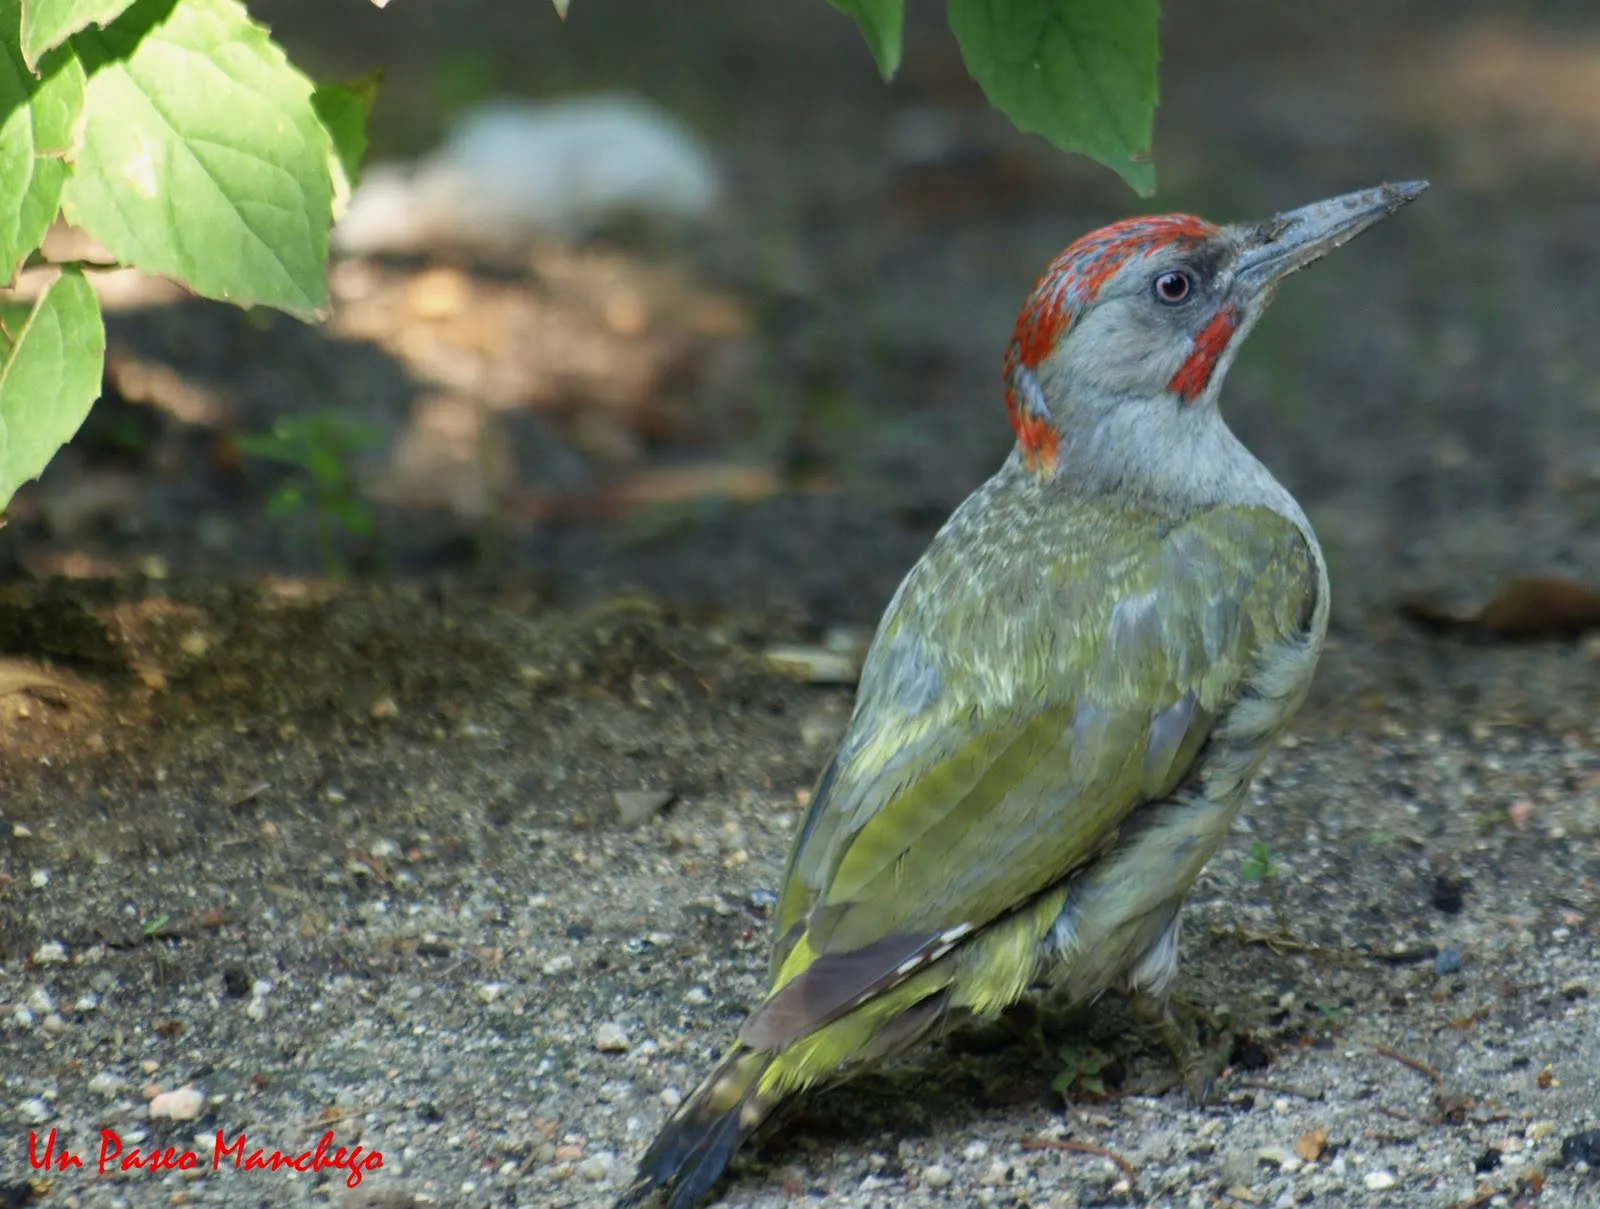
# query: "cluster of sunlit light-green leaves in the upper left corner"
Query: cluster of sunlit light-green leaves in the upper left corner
{"points": [[178, 137]]}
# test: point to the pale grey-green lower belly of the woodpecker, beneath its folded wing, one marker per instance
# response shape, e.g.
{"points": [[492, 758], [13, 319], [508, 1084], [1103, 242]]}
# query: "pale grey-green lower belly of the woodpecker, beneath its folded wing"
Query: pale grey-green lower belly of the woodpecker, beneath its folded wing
{"points": [[1119, 924]]}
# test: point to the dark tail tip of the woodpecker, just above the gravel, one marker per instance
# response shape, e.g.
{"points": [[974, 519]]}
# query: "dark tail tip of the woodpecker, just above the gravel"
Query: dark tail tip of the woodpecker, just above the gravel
{"points": [[698, 1143]]}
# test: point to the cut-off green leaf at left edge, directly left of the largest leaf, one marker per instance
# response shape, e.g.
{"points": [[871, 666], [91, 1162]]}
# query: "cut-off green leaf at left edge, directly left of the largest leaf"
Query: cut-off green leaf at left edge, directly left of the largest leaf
{"points": [[36, 140]]}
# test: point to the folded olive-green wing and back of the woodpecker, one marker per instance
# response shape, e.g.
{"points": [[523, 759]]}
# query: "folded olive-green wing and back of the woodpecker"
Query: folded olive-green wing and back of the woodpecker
{"points": [[1002, 744]]}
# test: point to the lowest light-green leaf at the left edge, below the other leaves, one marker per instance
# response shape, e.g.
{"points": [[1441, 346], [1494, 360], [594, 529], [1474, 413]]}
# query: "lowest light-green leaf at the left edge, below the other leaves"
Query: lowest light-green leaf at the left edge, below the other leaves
{"points": [[50, 380]]}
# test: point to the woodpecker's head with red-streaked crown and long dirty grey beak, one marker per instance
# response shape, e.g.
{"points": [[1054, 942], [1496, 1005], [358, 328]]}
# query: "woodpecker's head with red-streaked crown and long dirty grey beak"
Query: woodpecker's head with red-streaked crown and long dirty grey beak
{"points": [[1151, 311]]}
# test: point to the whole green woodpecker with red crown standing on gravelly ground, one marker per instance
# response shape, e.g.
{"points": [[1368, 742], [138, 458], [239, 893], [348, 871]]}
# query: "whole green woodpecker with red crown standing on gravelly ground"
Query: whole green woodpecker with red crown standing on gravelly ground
{"points": [[1070, 693]]}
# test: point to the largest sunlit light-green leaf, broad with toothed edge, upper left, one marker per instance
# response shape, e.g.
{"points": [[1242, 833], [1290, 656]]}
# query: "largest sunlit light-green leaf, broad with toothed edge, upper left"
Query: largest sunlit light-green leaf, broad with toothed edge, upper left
{"points": [[202, 158]]}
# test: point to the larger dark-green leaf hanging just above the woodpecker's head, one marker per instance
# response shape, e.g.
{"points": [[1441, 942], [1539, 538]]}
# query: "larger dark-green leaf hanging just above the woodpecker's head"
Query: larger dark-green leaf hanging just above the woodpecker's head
{"points": [[1081, 73]]}
